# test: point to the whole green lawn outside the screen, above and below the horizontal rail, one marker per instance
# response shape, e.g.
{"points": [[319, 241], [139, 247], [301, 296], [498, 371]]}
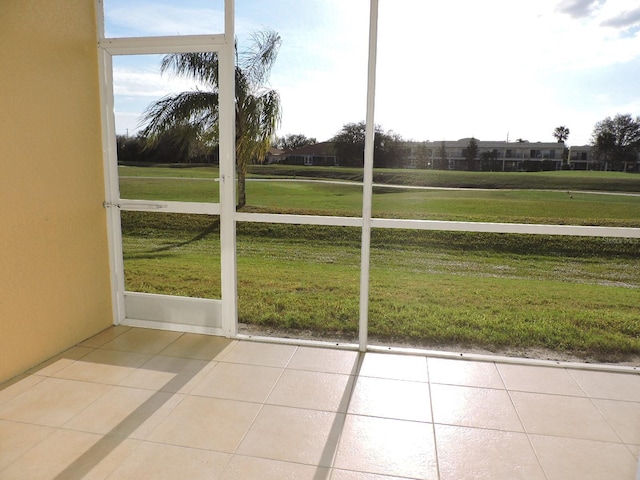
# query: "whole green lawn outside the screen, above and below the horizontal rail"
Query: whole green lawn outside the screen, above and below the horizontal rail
{"points": [[573, 295]]}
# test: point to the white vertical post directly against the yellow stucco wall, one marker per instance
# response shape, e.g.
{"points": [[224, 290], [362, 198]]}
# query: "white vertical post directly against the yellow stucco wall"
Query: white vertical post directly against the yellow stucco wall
{"points": [[110, 167]]}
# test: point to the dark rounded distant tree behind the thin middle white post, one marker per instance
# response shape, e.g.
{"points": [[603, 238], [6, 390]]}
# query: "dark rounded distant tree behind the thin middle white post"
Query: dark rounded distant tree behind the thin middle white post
{"points": [[349, 146]]}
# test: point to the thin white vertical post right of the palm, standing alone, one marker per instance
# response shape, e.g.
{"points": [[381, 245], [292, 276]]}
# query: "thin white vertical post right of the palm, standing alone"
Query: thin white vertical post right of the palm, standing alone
{"points": [[367, 186]]}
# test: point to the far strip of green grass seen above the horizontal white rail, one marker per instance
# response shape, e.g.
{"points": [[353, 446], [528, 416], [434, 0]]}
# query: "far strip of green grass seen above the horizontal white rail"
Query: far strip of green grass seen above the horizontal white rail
{"points": [[515, 206]]}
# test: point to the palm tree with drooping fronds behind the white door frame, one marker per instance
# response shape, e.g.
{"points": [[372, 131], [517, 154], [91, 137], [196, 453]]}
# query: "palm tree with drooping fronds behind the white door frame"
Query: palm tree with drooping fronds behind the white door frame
{"points": [[195, 113]]}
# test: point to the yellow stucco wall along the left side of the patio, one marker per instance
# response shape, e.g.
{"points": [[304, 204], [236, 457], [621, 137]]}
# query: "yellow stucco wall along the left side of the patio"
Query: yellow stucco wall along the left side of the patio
{"points": [[54, 264]]}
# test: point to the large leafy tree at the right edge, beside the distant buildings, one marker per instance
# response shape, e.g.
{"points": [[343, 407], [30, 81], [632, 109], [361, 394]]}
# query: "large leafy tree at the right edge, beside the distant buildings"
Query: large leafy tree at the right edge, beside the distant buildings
{"points": [[617, 140]]}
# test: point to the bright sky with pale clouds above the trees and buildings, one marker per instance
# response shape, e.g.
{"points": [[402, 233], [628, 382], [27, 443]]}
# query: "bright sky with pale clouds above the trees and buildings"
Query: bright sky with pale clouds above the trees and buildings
{"points": [[448, 69]]}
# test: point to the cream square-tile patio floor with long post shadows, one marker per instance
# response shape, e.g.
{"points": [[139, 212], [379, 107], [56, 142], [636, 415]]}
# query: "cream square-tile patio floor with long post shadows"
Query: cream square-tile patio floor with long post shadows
{"points": [[146, 404]]}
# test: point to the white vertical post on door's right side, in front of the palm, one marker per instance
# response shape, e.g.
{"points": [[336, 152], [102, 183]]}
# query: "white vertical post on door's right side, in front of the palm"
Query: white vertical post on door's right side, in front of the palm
{"points": [[227, 175]]}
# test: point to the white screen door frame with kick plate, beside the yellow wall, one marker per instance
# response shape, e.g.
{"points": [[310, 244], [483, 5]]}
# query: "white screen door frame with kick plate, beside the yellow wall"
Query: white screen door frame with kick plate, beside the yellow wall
{"points": [[169, 312]]}
